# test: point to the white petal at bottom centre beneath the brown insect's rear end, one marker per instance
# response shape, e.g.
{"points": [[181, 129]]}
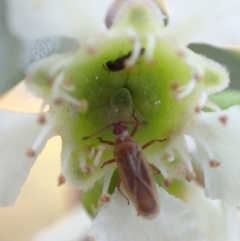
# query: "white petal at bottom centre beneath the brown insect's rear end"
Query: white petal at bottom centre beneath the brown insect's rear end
{"points": [[118, 221]]}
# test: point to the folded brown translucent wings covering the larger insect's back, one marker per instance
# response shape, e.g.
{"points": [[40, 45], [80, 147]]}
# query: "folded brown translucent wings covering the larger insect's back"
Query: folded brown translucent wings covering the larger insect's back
{"points": [[137, 180]]}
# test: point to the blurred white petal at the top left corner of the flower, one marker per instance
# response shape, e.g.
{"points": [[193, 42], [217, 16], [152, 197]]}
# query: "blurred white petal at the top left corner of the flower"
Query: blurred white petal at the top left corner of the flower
{"points": [[32, 19]]}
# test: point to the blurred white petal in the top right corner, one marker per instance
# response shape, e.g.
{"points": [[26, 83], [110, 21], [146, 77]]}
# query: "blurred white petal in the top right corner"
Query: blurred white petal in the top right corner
{"points": [[205, 21]]}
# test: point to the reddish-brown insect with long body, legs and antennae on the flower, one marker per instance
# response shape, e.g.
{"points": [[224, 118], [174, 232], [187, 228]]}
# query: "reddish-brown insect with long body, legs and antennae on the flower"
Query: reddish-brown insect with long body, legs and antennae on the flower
{"points": [[134, 170]]}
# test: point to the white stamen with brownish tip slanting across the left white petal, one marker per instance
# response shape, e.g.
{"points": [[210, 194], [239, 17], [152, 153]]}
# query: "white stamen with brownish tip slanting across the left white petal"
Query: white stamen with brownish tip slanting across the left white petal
{"points": [[45, 134]]}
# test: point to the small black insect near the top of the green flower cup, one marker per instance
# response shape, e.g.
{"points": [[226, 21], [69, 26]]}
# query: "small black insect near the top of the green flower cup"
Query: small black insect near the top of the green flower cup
{"points": [[119, 63]]}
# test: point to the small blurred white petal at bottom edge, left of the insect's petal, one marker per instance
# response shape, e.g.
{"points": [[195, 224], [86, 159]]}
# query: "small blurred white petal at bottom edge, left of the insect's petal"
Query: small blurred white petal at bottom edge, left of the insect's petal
{"points": [[72, 227]]}
